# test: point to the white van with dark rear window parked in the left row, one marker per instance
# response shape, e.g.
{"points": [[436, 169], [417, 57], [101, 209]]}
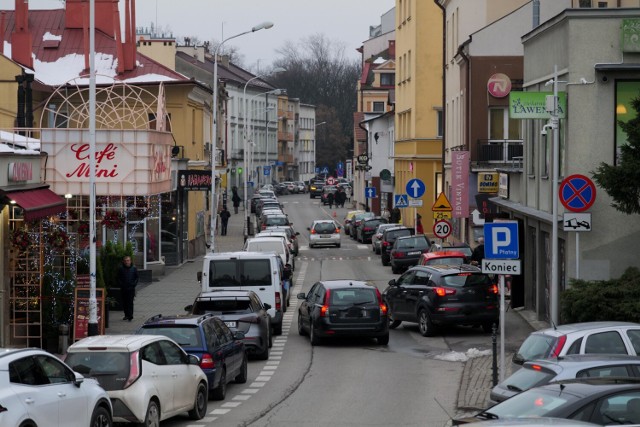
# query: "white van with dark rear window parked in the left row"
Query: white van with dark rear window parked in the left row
{"points": [[260, 272]]}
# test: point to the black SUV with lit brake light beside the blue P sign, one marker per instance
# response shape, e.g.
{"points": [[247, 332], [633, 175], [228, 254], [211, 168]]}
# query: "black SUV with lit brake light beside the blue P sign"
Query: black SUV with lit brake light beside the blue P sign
{"points": [[442, 295]]}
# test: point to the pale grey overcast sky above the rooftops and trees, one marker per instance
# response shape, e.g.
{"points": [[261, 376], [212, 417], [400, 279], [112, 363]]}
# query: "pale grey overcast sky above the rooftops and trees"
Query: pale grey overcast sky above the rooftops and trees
{"points": [[345, 21]]}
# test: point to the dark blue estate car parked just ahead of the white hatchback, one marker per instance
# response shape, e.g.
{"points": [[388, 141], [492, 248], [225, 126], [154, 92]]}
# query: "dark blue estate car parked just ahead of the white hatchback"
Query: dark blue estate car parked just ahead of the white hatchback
{"points": [[221, 352]]}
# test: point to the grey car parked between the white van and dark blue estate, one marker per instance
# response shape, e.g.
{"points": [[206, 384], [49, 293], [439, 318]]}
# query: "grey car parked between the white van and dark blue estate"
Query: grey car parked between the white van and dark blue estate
{"points": [[240, 311]]}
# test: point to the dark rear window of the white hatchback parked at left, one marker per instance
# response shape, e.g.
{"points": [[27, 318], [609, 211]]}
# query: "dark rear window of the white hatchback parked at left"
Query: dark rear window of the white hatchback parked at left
{"points": [[110, 368]]}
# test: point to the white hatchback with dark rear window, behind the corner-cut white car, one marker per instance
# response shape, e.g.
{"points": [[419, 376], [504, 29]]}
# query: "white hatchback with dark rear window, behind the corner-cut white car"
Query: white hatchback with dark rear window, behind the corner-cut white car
{"points": [[149, 378]]}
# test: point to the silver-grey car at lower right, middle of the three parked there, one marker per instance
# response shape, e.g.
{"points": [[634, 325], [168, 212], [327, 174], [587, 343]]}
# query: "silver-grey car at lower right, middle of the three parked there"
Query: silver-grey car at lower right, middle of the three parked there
{"points": [[543, 371]]}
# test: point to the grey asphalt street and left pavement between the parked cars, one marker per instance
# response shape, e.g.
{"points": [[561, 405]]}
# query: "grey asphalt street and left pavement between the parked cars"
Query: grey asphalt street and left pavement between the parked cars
{"points": [[414, 381]]}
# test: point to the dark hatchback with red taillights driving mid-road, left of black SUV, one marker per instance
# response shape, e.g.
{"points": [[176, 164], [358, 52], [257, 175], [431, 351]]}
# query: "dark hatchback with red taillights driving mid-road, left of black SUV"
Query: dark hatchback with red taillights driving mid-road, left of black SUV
{"points": [[335, 308]]}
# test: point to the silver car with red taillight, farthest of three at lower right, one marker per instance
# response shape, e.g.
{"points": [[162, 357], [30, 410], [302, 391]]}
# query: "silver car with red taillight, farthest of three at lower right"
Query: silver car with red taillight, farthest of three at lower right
{"points": [[580, 338]]}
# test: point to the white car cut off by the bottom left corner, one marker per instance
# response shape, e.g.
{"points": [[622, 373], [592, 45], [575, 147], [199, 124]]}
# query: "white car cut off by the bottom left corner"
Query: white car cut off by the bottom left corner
{"points": [[38, 389]]}
